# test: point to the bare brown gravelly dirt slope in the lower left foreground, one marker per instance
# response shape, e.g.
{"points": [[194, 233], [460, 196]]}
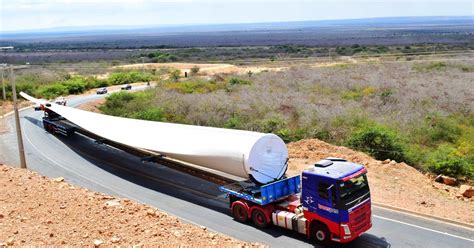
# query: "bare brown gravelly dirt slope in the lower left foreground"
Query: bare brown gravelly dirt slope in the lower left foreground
{"points": [[37, 211]]}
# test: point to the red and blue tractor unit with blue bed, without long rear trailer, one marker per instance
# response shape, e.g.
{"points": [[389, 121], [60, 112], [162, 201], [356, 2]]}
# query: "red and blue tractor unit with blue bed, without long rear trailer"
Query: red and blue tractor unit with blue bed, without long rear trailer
{"points": [[330, 201]]}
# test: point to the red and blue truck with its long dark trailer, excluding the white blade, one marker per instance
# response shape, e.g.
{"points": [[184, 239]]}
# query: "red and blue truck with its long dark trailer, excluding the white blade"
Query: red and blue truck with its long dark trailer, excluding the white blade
{"points": [[329, 202]]}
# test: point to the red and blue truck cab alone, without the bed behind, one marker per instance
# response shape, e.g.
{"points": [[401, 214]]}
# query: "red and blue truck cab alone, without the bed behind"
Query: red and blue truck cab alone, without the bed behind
{"points": [[336, 200]]}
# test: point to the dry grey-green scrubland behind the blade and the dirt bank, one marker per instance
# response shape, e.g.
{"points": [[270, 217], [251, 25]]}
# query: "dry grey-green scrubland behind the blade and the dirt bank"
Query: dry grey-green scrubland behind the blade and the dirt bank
{"points": [[418, 113]]}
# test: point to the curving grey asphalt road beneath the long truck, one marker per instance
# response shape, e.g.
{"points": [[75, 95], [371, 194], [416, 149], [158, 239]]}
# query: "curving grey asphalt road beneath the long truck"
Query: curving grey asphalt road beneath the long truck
{"points": [[83, 162]]}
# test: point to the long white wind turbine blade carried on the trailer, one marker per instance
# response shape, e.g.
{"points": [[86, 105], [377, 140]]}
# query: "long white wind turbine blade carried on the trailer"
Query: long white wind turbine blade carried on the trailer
{"points": [[237, 152]]}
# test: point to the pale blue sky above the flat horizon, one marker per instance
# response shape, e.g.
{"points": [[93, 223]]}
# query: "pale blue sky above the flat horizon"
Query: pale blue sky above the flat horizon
{"points": [[19, 15]]}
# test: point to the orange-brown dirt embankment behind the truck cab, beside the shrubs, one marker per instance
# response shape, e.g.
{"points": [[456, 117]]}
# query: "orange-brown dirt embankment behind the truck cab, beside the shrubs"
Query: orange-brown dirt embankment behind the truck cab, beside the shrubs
{"points": [[394, 184]]}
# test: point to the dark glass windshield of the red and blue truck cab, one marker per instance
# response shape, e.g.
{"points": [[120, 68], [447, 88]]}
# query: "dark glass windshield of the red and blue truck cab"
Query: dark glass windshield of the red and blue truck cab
{"points": [[353, 189]]}
